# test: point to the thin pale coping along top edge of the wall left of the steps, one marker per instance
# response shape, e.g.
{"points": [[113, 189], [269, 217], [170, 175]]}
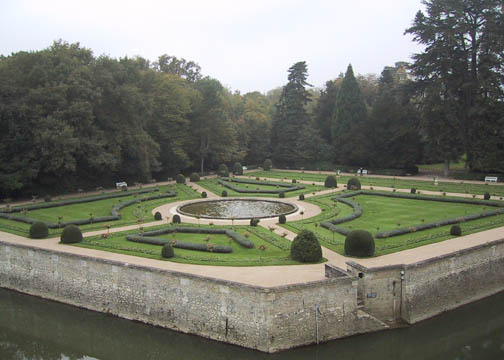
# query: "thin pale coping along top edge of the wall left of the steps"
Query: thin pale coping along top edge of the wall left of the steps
{"points": [[236, 284]]}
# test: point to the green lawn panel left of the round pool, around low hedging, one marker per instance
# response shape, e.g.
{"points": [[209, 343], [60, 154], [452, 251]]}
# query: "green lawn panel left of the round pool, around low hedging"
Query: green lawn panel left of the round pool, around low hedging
{"points": [[129, 215]]}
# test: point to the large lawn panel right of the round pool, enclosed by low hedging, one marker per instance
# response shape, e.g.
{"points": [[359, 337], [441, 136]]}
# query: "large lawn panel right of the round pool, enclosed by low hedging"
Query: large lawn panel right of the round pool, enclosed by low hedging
{"points": [[380, 213]]}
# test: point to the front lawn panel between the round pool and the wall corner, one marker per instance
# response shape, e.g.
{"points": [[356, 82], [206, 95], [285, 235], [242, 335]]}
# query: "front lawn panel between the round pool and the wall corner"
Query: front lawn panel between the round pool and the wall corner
{"points": [[270, 249]]}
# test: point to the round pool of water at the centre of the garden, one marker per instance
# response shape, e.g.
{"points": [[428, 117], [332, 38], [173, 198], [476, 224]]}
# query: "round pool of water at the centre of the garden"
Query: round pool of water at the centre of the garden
{"points": [[236, 209]]}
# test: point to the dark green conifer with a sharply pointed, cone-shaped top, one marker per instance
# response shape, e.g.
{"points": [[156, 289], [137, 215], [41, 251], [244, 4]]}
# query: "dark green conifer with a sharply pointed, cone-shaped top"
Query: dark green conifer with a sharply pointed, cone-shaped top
{"points": [[349, 120]]}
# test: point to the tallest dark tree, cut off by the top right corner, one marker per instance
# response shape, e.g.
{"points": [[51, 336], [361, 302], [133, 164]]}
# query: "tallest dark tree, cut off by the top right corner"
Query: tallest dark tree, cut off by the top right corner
{"points": [[460, 72]]}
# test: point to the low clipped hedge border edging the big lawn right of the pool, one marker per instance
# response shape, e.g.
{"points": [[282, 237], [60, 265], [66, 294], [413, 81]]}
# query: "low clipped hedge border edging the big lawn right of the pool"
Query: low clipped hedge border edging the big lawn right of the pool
{"points": [[330, 225]]}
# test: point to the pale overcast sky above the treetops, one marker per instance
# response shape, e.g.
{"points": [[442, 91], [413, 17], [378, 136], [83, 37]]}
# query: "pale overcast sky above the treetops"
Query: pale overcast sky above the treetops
{"points": [[247, 45]]}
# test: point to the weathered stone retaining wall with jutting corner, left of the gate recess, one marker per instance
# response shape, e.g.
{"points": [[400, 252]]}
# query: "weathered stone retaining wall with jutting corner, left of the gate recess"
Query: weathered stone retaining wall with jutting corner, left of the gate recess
{"points": [[267, 319]]}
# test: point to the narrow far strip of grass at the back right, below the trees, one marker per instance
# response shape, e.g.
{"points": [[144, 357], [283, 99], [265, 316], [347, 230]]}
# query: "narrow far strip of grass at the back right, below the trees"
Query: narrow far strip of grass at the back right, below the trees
{"points": [[396, 182]]}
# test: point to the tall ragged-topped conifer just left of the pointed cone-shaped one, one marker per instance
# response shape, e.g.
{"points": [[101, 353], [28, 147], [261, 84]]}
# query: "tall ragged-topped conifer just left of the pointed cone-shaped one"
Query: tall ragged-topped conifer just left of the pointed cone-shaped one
{"points": [[290, 116]]}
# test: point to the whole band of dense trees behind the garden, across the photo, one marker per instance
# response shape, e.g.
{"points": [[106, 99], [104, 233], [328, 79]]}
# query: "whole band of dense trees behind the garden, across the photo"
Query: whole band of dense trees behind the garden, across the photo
{"points": [[71, 120]]}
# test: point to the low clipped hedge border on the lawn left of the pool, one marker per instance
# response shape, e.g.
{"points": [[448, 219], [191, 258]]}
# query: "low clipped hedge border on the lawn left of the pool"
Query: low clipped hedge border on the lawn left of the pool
{"points": [[115, 215]]}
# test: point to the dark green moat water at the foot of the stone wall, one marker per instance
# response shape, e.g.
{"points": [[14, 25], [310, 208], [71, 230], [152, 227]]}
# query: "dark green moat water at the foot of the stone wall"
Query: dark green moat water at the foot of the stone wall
{"points": [[31, 328]]}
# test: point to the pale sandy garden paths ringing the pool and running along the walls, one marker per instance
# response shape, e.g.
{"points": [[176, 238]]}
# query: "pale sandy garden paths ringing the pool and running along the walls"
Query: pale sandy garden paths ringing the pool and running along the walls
{"points": [[267, 276]]}
